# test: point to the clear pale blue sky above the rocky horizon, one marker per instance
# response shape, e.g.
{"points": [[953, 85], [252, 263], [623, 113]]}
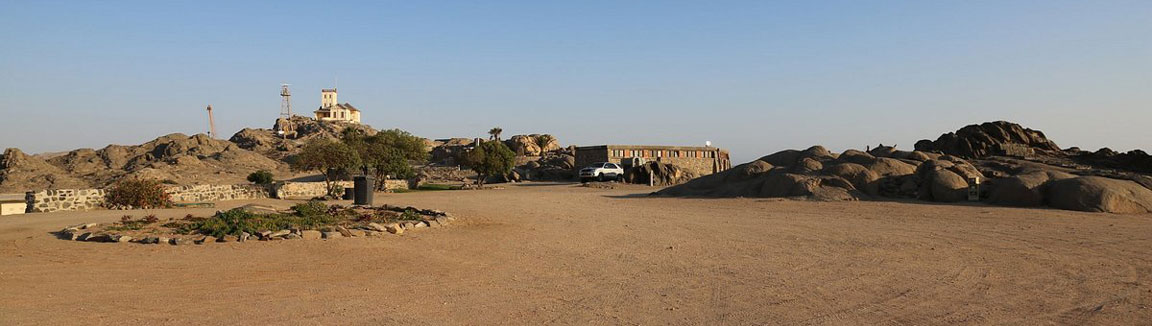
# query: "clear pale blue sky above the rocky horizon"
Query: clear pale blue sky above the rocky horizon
{"points": [[752, 77]]}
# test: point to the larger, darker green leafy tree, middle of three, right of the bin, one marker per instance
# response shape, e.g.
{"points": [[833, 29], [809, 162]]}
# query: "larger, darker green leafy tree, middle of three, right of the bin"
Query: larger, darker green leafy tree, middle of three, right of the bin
{"points": [[391, 154]]}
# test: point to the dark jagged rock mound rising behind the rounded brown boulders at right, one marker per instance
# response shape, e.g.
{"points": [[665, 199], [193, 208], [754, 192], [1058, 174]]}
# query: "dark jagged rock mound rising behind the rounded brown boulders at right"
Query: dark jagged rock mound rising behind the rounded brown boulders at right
{"points": [[990, 139]]}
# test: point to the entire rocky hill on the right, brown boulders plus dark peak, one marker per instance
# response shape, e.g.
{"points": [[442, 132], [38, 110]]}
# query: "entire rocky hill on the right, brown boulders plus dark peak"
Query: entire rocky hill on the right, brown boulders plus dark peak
{"points": [[1015, 168]]}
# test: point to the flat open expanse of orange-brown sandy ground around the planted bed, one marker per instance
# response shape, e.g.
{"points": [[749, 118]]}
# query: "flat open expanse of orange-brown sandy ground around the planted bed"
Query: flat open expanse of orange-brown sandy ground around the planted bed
{"points": [[558, 254]]}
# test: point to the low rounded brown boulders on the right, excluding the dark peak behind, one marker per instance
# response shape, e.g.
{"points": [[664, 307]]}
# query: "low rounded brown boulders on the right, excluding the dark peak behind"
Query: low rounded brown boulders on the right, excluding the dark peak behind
{"points": [[886, 173]]}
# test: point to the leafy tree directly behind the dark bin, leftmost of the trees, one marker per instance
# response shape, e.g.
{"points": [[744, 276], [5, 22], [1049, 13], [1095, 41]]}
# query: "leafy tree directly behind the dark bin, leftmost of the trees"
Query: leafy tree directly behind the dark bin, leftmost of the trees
{"points": [[327, 157]]}
